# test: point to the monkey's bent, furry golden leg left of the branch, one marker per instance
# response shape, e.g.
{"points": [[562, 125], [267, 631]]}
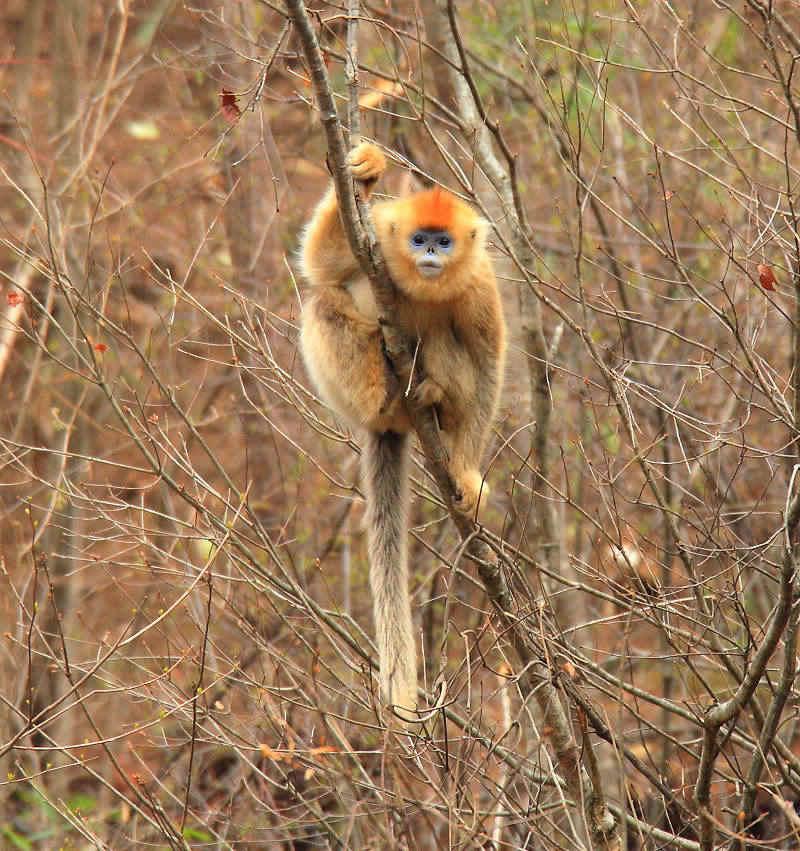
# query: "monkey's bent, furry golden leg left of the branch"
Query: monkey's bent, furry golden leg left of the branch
{"points": [[343, 352]]}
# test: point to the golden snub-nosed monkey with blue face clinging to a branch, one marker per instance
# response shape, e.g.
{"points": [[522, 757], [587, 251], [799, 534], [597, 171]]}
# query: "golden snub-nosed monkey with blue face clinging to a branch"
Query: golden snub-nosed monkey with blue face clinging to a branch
{"points": [[435, 249]]}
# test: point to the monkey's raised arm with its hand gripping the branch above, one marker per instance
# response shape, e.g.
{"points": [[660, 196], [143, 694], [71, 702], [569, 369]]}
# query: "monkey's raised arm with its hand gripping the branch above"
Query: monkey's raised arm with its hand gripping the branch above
{"points": [[325, 253]]}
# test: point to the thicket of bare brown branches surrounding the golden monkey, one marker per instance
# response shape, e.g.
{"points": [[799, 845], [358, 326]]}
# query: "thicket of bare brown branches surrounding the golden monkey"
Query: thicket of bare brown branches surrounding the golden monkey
{"points": [[610, 658]]}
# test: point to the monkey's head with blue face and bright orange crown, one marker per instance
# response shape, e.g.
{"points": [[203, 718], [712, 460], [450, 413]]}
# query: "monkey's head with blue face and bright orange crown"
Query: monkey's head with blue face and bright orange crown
{"points": [[434, 243]]}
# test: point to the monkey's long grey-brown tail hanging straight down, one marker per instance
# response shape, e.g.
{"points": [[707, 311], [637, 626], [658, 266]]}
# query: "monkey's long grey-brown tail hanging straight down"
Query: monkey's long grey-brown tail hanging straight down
{"points": [[385, 472]]}
